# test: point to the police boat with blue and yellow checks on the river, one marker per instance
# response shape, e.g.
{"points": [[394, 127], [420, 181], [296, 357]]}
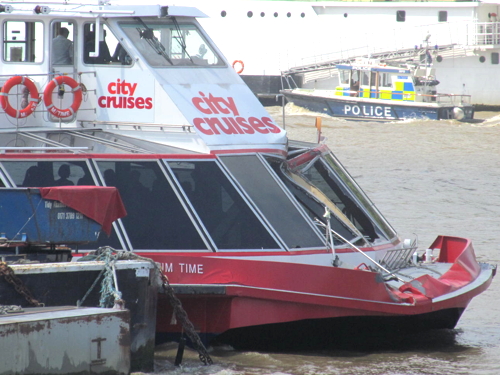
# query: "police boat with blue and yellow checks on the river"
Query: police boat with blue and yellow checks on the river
{"points": [[370, 89]]}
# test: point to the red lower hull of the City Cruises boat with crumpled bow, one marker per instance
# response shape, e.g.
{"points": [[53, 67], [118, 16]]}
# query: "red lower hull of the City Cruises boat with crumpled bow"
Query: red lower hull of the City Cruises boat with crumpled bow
{"points": [[222, 292]]}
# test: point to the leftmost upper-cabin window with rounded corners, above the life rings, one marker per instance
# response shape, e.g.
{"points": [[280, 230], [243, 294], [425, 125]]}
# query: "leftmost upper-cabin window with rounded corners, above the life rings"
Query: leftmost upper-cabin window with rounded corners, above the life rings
{"points": [[23, 41]]}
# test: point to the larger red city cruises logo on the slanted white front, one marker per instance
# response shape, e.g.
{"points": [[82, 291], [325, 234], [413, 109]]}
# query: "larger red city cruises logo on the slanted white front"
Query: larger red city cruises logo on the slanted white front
{"points": [[223, 117]]}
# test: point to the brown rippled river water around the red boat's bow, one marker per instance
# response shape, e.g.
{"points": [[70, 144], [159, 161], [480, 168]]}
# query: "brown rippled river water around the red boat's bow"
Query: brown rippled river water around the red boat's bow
{"points": [[427, 178]]}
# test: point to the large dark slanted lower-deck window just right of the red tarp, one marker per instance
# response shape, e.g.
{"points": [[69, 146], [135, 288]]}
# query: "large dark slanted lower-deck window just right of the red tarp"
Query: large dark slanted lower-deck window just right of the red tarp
{"points": [[155, 217]]}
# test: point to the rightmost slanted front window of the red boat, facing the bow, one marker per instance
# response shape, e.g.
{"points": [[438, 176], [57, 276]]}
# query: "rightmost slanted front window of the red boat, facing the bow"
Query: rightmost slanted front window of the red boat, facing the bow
{"points": [[338, 184]]}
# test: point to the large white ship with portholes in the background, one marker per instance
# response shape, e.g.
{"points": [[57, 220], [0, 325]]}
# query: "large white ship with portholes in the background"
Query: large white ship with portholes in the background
{"points": [[268, 37]]}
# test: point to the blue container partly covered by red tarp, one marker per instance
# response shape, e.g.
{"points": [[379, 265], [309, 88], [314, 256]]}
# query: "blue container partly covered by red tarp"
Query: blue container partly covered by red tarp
{"points": [[26, 217]]}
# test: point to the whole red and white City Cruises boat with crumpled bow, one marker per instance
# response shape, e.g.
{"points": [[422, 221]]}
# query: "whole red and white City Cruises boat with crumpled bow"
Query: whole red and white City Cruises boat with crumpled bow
{"points": [[140, 98]]}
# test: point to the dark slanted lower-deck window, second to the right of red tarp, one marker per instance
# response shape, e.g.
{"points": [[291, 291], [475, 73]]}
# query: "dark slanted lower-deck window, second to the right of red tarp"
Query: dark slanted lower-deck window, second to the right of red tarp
{"points": [[228, 219]]}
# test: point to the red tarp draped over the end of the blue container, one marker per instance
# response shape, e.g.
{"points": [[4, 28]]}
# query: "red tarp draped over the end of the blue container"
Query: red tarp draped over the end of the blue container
{"points": [[102, 204]]}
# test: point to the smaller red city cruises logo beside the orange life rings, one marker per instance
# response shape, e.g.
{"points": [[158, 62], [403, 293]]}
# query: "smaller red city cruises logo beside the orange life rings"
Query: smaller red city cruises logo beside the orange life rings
{"points": [[121, 95]]}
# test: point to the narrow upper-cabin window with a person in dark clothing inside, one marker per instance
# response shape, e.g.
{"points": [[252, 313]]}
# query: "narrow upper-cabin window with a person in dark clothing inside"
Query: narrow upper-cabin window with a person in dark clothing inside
{"points": [[62, 45]]}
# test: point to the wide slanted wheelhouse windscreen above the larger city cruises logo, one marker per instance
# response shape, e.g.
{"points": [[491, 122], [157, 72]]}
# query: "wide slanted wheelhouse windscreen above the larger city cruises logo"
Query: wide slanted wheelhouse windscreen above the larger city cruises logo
{"points": [[169, 43]]}
